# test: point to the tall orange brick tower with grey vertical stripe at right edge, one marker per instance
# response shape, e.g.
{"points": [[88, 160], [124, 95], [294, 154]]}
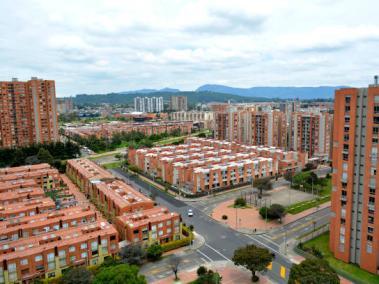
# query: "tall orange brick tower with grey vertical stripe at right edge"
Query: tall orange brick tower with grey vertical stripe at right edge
{"points": [[354, 228]]}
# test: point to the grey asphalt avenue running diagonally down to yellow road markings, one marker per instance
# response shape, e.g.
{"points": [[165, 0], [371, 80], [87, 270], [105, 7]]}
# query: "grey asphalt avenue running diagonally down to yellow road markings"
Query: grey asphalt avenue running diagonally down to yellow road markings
{"points": [[221, 241]]}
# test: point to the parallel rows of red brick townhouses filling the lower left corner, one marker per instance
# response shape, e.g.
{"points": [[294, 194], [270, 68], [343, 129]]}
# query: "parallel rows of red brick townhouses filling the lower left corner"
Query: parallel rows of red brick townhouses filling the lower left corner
{"points": [[37, 239]]}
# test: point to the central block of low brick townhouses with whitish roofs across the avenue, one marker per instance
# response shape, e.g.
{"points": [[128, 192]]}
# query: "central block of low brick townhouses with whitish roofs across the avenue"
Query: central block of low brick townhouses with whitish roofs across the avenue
{"points": [[204, 164]]}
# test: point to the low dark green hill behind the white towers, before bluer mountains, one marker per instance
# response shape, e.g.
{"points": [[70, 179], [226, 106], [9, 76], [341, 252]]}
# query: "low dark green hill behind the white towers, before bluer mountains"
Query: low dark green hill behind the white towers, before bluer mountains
{"points": [[193, 97]]}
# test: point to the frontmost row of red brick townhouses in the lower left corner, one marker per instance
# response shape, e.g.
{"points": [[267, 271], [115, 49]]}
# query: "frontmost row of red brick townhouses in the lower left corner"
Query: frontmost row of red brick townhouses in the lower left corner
{"points": [[47, 255]]}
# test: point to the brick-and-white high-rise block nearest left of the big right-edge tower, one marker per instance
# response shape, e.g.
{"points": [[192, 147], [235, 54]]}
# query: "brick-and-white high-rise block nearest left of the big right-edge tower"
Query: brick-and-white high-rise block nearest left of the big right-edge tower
{"points": [[311, 132]]}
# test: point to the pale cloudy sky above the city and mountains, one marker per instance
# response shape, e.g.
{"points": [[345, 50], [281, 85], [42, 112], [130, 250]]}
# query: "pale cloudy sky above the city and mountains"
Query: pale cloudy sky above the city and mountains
{"points": [[90, 46]]}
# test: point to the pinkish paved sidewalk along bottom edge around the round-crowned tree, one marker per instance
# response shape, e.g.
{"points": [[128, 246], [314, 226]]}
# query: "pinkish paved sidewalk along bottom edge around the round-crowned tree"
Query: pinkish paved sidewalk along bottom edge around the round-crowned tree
{"points": [[230, 274]]}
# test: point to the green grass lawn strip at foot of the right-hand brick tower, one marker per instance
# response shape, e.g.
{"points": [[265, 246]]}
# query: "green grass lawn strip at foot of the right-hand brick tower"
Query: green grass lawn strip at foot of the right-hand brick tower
{"points": [[356, 274]]}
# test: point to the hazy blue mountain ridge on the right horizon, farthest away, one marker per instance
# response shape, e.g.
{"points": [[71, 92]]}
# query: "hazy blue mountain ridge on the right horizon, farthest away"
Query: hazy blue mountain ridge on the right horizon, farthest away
{"points": [[303, 93]]}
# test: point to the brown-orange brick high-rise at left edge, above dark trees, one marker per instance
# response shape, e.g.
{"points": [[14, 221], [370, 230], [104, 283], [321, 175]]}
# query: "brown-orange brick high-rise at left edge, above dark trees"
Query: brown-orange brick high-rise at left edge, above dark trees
{"points": [[28, 112]]}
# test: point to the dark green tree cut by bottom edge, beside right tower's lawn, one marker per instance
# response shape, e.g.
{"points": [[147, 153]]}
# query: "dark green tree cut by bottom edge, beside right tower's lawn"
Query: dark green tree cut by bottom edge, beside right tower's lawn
{"points": [[312, 271]]}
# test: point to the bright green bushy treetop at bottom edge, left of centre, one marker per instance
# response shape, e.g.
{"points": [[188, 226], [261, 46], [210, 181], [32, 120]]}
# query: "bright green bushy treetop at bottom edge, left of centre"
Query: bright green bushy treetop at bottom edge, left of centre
{"points": [[119, 274]]}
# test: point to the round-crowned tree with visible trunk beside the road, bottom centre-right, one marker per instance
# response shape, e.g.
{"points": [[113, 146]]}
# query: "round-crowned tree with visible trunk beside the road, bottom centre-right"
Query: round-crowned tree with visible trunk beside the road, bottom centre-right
{"points": [[253, 258]]}
